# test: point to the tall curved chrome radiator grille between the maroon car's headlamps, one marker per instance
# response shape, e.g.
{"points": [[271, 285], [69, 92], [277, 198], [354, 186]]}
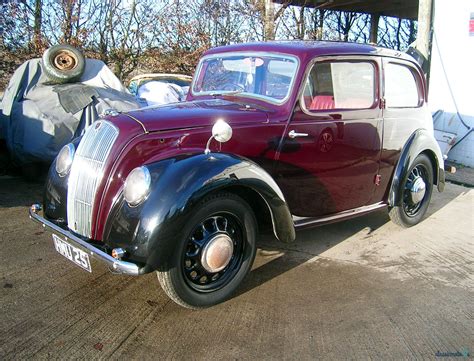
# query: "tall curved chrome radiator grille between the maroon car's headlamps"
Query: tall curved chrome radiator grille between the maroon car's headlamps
{"points": [[86, 174]]}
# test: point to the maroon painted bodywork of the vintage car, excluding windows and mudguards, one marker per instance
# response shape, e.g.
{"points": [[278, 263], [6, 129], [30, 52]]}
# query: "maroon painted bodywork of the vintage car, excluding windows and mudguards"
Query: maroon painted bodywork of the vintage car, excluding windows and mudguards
{"points": [[317, 179]]}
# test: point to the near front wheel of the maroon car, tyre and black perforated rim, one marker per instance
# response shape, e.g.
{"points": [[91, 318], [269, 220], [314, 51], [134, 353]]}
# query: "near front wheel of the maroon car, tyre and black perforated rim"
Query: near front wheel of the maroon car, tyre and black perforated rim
{"points": [[213, 254]]}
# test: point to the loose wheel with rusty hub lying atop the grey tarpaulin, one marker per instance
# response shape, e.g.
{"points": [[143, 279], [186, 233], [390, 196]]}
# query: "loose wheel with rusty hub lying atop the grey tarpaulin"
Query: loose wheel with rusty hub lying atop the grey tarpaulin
{"points": [[63, 64]]}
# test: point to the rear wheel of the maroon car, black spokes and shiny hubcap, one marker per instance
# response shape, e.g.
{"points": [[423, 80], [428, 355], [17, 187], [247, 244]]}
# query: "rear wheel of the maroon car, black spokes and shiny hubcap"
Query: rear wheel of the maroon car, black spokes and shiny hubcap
{"points": [[415, 189]]}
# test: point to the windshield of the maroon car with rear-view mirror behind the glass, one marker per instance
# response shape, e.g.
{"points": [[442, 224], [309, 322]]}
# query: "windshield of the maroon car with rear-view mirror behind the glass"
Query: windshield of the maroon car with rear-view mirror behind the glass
{"points": [[265, 76]]}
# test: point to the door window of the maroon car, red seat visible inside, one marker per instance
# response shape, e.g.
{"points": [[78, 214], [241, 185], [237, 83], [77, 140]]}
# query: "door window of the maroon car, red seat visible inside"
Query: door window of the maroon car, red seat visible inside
{"points": [[340, 85]]}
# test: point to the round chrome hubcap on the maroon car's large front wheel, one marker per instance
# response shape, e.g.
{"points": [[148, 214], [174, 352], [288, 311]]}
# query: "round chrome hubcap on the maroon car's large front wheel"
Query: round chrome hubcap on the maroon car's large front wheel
{"points": [[217, 253]]}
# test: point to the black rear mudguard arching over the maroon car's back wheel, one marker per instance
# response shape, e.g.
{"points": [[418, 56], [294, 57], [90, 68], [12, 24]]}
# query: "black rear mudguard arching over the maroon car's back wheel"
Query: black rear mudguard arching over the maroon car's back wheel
{"points": [[420, 141]]}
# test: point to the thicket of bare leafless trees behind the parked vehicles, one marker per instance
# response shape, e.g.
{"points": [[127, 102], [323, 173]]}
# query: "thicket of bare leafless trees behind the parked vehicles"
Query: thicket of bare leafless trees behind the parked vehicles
{"points": [[170, 35]]}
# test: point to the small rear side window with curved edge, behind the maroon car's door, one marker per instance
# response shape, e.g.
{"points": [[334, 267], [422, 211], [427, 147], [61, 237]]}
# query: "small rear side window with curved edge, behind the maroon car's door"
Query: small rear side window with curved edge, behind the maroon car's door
{"points": [[401, 89]]}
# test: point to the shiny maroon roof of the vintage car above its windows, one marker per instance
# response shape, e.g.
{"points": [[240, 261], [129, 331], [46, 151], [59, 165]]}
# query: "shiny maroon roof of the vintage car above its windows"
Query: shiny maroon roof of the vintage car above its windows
{"points": [[303, 49]]}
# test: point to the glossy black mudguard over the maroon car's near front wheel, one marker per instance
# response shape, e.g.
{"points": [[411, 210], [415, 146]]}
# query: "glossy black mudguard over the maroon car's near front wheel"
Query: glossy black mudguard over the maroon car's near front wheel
{"points": [[150, 230]]}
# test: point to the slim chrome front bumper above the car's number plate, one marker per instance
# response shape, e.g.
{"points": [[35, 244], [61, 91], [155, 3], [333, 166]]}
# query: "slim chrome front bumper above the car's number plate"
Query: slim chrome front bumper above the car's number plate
{"points": [[116, 266]]}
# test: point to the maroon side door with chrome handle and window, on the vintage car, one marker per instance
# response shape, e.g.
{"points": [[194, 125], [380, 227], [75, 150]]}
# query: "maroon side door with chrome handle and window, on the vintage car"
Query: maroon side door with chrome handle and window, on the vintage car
{"points": [[329, 157]]}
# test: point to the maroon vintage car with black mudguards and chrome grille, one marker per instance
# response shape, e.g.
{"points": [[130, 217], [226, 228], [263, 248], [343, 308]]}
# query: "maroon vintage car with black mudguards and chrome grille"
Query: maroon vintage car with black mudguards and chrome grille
{"points": [[288, 134]]}
